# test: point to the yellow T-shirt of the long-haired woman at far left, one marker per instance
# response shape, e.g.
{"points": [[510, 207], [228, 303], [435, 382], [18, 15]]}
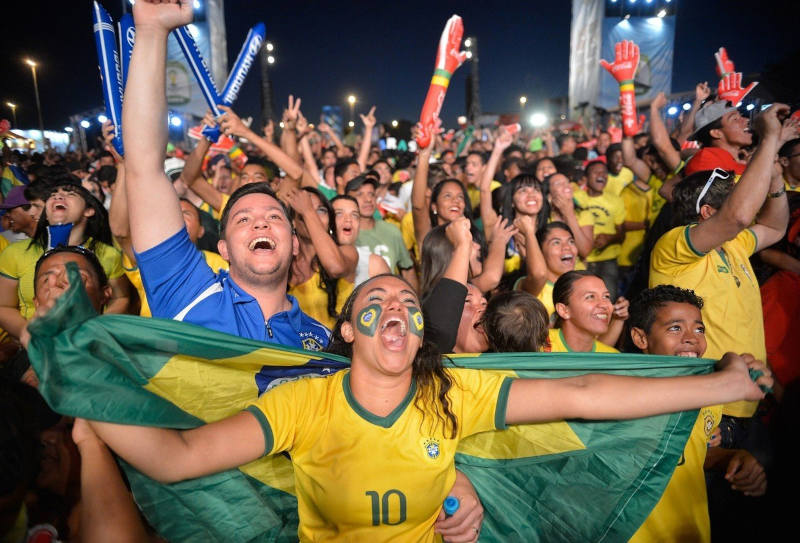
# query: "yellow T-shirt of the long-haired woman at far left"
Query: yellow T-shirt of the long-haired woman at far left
{"points": [[18, 262]]}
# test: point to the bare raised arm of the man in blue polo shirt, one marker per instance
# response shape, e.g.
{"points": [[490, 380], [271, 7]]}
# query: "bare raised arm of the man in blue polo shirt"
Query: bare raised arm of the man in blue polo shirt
{"points": [[155, 213]]}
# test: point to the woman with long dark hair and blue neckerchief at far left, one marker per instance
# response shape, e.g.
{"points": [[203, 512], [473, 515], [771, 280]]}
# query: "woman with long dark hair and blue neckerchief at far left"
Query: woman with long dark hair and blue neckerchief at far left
{"points": [[71, 216]]}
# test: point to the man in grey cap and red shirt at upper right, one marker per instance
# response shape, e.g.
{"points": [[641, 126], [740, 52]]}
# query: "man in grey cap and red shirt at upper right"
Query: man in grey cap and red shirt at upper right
{"points": [[722, 133]]}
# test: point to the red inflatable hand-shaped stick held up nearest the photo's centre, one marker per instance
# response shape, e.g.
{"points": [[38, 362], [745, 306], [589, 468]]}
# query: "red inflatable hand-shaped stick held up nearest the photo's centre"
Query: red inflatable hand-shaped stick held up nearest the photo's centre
{"points": [[448, 59]]}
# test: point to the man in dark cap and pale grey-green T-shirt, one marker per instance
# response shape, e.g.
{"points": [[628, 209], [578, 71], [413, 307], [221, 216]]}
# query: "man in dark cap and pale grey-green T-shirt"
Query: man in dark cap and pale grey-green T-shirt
{"points": [[378, 236]]}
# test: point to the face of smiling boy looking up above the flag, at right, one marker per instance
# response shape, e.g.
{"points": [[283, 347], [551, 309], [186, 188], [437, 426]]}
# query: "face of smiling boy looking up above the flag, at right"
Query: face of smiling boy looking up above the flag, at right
{"points": [[678, 330]]}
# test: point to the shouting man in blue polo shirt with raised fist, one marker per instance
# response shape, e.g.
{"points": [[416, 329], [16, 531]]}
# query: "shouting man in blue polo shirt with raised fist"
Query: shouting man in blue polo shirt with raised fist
{"points": [[256, 237]]}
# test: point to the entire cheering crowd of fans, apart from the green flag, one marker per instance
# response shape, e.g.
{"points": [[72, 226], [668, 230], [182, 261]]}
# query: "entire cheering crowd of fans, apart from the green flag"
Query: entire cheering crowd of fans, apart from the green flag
{"points": [[621, 238]]}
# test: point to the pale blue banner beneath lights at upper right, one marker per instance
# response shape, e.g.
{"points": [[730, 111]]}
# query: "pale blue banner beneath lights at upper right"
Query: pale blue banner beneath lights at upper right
{"points": [[655, 37]]}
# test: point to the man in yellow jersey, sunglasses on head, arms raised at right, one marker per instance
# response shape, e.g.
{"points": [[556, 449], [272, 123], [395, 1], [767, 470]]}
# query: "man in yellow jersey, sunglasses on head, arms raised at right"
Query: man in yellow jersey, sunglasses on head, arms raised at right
{"points": [[710, 253]]}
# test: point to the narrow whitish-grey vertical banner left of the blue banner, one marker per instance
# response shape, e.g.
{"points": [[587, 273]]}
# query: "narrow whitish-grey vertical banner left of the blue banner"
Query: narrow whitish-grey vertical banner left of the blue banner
{"points": [[584, 51]]}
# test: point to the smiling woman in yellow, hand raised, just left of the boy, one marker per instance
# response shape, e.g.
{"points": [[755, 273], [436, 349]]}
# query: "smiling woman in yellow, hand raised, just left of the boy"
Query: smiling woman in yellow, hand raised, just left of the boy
{"points": [[587, 320]]}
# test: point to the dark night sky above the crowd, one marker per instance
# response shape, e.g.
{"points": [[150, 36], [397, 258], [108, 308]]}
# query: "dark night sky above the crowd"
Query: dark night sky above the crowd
{"points": [[383, 52]]}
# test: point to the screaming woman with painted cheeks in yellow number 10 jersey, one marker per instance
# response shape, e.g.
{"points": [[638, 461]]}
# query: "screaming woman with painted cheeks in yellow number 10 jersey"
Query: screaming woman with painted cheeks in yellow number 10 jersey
{"points": [[373, 447]]}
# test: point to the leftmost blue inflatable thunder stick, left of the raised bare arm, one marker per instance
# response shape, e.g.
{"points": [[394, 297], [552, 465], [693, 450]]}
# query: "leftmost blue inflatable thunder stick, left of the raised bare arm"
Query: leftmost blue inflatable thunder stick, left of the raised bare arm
{"points": [[108, 59]]}
